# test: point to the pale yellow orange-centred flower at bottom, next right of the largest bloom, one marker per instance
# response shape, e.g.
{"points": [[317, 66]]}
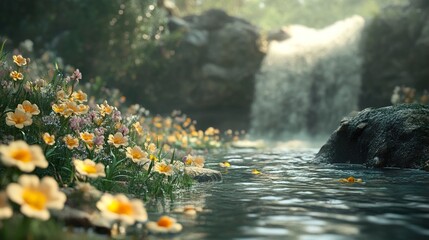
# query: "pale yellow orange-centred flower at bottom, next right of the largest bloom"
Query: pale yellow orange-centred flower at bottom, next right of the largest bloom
{"points": [[119, 207]]}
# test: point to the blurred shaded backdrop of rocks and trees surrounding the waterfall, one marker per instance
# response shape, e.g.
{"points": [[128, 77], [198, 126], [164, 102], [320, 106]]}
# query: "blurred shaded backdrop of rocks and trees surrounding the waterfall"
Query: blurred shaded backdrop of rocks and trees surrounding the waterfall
{"points": [[182, 54]]}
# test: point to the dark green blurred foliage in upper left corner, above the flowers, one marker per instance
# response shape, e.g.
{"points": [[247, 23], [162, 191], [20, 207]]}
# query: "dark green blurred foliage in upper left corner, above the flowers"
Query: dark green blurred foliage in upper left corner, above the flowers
{"points": [[102, 38]]}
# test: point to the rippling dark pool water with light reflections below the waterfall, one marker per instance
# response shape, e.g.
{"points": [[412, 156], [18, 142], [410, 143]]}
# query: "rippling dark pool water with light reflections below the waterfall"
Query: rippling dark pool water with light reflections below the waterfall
{"points": [[296, 199]]}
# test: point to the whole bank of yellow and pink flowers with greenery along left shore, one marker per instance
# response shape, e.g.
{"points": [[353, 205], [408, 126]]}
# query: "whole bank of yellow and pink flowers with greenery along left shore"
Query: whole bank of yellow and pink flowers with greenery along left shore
{"points": [[55, 135]]}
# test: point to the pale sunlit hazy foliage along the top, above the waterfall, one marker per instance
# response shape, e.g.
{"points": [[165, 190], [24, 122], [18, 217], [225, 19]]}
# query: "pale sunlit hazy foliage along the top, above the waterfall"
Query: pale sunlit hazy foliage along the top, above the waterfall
{"points": [[271, 14]]}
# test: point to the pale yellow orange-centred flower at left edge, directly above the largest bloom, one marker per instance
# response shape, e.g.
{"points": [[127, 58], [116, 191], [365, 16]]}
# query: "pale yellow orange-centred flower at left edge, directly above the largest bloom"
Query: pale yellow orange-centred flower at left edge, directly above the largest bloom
{"points": [[23, 156]]}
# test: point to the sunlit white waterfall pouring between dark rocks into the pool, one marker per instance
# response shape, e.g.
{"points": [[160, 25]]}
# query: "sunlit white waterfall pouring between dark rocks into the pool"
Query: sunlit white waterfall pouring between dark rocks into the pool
{"points": [[308, 82]]}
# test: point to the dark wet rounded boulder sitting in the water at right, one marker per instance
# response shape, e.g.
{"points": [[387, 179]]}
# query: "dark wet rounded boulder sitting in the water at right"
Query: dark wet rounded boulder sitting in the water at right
{"points": [[394, 136]]}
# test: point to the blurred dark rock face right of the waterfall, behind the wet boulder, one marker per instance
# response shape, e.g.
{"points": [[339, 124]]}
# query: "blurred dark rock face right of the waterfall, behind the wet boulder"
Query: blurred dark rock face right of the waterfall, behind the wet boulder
{"points": [[395, 51]]}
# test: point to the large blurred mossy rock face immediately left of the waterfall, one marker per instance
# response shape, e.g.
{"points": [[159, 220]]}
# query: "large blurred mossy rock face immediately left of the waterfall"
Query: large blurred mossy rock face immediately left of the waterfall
{"points": [[211, 65]]}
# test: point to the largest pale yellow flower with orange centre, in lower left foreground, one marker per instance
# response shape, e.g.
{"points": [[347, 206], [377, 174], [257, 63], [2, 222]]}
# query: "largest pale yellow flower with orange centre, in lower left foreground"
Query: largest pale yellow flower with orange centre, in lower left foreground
{"points": [[35, 196]]}
